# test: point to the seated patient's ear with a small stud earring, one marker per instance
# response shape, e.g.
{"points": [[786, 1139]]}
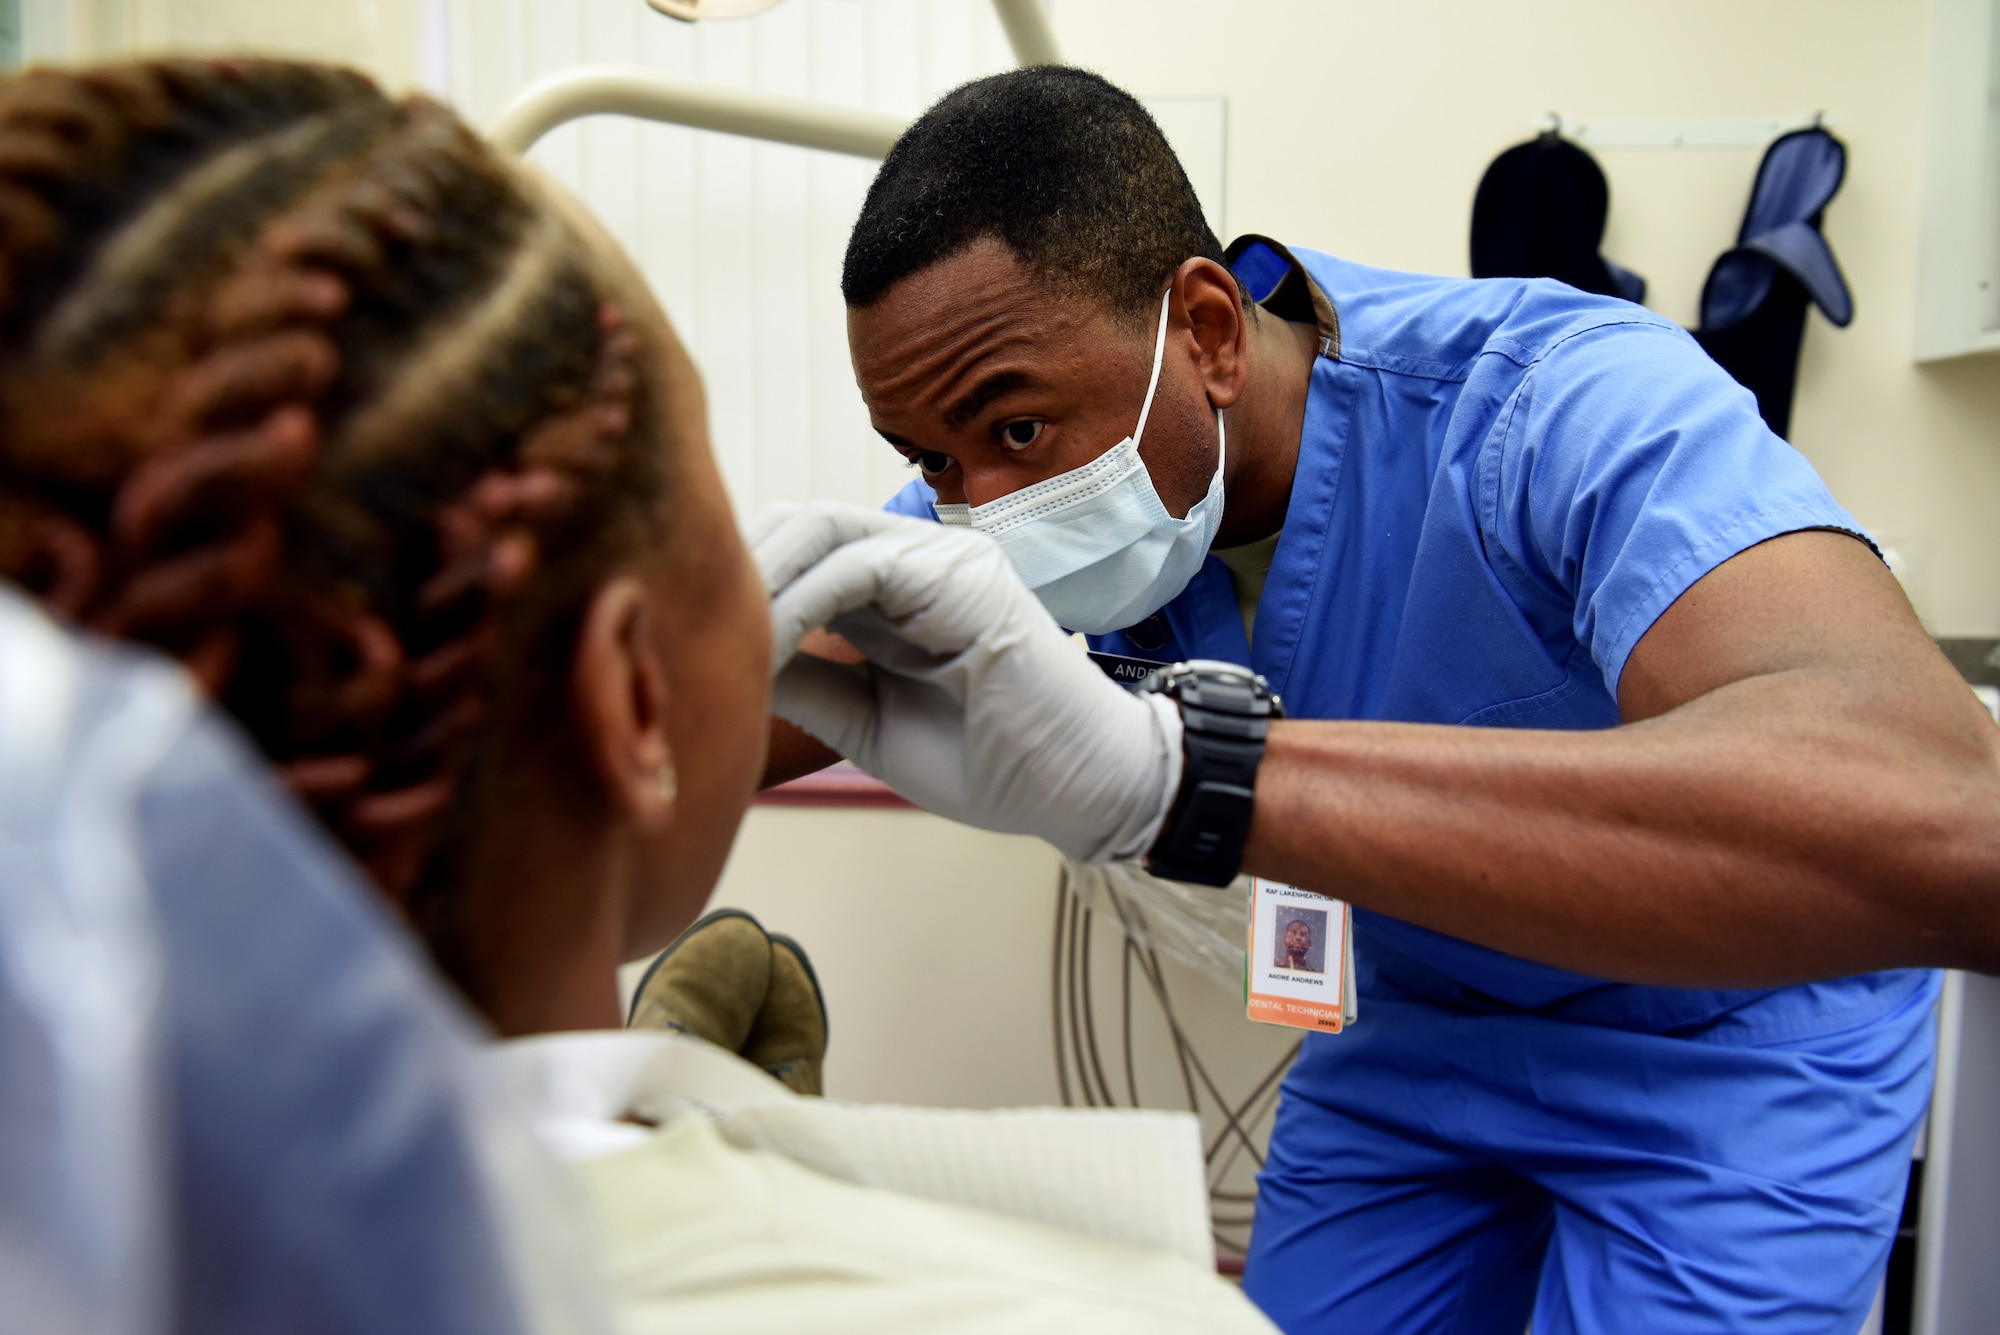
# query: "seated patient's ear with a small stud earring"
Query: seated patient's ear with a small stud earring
{"points": [[619, 692]]}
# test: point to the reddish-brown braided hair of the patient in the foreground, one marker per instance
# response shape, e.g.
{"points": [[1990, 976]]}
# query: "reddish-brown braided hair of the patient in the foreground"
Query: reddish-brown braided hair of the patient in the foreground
{"points": [[301, 387]]}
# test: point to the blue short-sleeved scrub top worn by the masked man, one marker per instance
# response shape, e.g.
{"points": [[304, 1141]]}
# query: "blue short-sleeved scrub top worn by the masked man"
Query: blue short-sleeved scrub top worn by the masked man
{"points": [[1501, 487]]}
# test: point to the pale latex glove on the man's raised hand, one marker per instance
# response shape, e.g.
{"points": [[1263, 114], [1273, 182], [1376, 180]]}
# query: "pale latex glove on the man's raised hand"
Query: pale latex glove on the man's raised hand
{"points": [[973, 702]]}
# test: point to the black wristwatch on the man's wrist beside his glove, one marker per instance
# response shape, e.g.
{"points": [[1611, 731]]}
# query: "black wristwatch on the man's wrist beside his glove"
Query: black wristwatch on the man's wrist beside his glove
{"points": [[1225, 714]]}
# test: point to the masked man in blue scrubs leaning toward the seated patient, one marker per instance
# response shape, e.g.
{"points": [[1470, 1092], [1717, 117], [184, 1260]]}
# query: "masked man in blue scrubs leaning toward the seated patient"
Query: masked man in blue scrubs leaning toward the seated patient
{"points": [[1643, 778]]}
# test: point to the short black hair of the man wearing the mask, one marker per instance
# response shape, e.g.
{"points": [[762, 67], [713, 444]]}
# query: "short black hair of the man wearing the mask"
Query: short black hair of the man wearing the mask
{"points": [[1063, 167]]}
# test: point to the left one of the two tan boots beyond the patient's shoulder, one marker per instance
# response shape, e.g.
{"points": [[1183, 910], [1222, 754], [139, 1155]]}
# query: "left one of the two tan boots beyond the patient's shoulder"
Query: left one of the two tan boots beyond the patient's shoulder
{"points": [[711, 982]]}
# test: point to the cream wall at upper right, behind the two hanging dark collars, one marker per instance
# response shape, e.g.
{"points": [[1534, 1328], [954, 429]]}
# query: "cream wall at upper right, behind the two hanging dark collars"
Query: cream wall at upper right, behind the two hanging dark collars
{"points": [[1363, 129]]}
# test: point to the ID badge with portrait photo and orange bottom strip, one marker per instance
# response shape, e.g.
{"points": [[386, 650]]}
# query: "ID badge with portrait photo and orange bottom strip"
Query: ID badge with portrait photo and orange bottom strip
{"points": [[1301, 968]]}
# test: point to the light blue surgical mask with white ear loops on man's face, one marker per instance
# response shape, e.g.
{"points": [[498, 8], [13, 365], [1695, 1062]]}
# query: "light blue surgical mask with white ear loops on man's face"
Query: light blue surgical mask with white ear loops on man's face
{"points": [[1095, 545]]}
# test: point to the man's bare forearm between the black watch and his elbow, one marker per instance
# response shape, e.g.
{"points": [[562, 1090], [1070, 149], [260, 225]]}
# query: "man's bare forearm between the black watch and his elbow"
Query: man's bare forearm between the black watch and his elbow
{"points": [[1771, 832]]}
